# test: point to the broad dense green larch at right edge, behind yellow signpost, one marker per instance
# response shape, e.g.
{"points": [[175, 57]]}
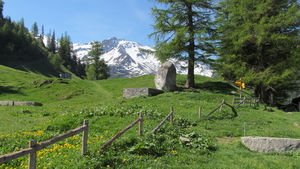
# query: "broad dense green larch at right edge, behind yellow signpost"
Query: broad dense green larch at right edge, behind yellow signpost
{"points": [[259, 42]]}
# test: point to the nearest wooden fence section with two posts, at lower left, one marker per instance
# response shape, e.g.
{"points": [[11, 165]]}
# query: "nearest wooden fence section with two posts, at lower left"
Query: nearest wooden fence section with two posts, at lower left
{"points": [[34, 146]]}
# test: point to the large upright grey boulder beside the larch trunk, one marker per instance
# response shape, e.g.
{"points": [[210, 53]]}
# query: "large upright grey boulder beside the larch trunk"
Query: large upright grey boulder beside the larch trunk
{"points": [[165, 77]]}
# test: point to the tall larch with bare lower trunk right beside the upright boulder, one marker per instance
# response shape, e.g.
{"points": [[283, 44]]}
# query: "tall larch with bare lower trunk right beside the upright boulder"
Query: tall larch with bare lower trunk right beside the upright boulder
{"points": [[182, 31]]}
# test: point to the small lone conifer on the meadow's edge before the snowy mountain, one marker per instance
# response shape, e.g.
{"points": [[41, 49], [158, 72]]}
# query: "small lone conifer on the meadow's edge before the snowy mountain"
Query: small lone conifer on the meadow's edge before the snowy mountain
{"points": [[96, 69]]}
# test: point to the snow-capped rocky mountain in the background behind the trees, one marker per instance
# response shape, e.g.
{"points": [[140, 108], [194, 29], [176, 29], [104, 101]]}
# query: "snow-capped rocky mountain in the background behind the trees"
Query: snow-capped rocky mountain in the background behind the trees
{"points": [[125, 59]]}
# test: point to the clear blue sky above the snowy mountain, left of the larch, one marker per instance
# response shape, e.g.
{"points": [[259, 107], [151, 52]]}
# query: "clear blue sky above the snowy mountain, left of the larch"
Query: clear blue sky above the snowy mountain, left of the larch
{"points": [[87, 20]]}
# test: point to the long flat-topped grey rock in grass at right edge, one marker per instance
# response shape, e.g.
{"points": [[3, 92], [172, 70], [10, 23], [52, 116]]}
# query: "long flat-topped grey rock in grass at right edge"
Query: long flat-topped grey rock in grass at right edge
{"points": [[269, 144]]}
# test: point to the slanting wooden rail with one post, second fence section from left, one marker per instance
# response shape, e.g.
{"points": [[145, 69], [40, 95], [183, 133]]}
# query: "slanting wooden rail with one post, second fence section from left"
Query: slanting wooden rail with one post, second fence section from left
{"points": [[138, 120]]}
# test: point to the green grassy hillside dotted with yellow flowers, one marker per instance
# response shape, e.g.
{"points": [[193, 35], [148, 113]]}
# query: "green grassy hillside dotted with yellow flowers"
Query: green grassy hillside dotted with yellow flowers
{"points": [[66, 102]]}
